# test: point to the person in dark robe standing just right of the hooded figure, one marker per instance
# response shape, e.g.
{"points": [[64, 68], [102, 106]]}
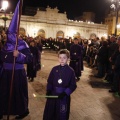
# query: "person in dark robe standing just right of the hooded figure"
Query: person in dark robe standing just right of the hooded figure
{"points": [[32, 67]]}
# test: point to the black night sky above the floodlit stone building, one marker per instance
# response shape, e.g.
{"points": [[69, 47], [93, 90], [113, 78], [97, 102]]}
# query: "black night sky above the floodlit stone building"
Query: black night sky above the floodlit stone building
{"points": [[73, 8]]}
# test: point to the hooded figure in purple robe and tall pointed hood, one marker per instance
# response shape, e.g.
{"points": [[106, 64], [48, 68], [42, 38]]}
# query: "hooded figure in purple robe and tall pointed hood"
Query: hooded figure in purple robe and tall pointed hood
{"points": [[19, 99]]}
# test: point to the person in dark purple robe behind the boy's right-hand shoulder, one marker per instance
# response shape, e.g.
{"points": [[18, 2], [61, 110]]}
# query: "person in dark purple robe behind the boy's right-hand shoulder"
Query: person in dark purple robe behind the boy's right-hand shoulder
{"points": [[75, 58]]}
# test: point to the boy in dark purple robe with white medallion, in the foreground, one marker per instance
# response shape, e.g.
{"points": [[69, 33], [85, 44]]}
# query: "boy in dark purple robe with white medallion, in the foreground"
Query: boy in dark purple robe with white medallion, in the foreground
{"points": [[61, 82]]}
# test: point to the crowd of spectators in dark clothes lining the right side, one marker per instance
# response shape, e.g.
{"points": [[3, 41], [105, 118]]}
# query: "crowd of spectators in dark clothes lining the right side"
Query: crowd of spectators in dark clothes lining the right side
{"points": [[105, 56]]}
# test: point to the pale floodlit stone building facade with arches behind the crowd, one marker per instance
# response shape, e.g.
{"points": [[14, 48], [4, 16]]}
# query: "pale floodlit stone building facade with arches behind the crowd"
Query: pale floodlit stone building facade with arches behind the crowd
{"points": [[51, 23]]}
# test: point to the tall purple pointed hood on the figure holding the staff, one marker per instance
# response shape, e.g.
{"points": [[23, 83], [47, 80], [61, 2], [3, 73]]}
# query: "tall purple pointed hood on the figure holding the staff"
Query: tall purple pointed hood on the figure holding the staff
{"points": [[13, 31]]}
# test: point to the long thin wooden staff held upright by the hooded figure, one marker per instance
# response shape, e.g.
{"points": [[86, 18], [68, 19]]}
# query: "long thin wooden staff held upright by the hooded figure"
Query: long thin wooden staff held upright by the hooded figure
{"points": [[13, 70]]}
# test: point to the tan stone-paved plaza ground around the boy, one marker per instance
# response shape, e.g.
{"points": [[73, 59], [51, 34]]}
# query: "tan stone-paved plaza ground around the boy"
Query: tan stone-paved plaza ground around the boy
{"points": [[90, 101]]}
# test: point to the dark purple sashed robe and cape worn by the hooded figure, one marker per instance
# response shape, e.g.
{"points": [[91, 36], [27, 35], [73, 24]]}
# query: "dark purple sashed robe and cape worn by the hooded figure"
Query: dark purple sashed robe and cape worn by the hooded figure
{"points": [[19, 101]]}
